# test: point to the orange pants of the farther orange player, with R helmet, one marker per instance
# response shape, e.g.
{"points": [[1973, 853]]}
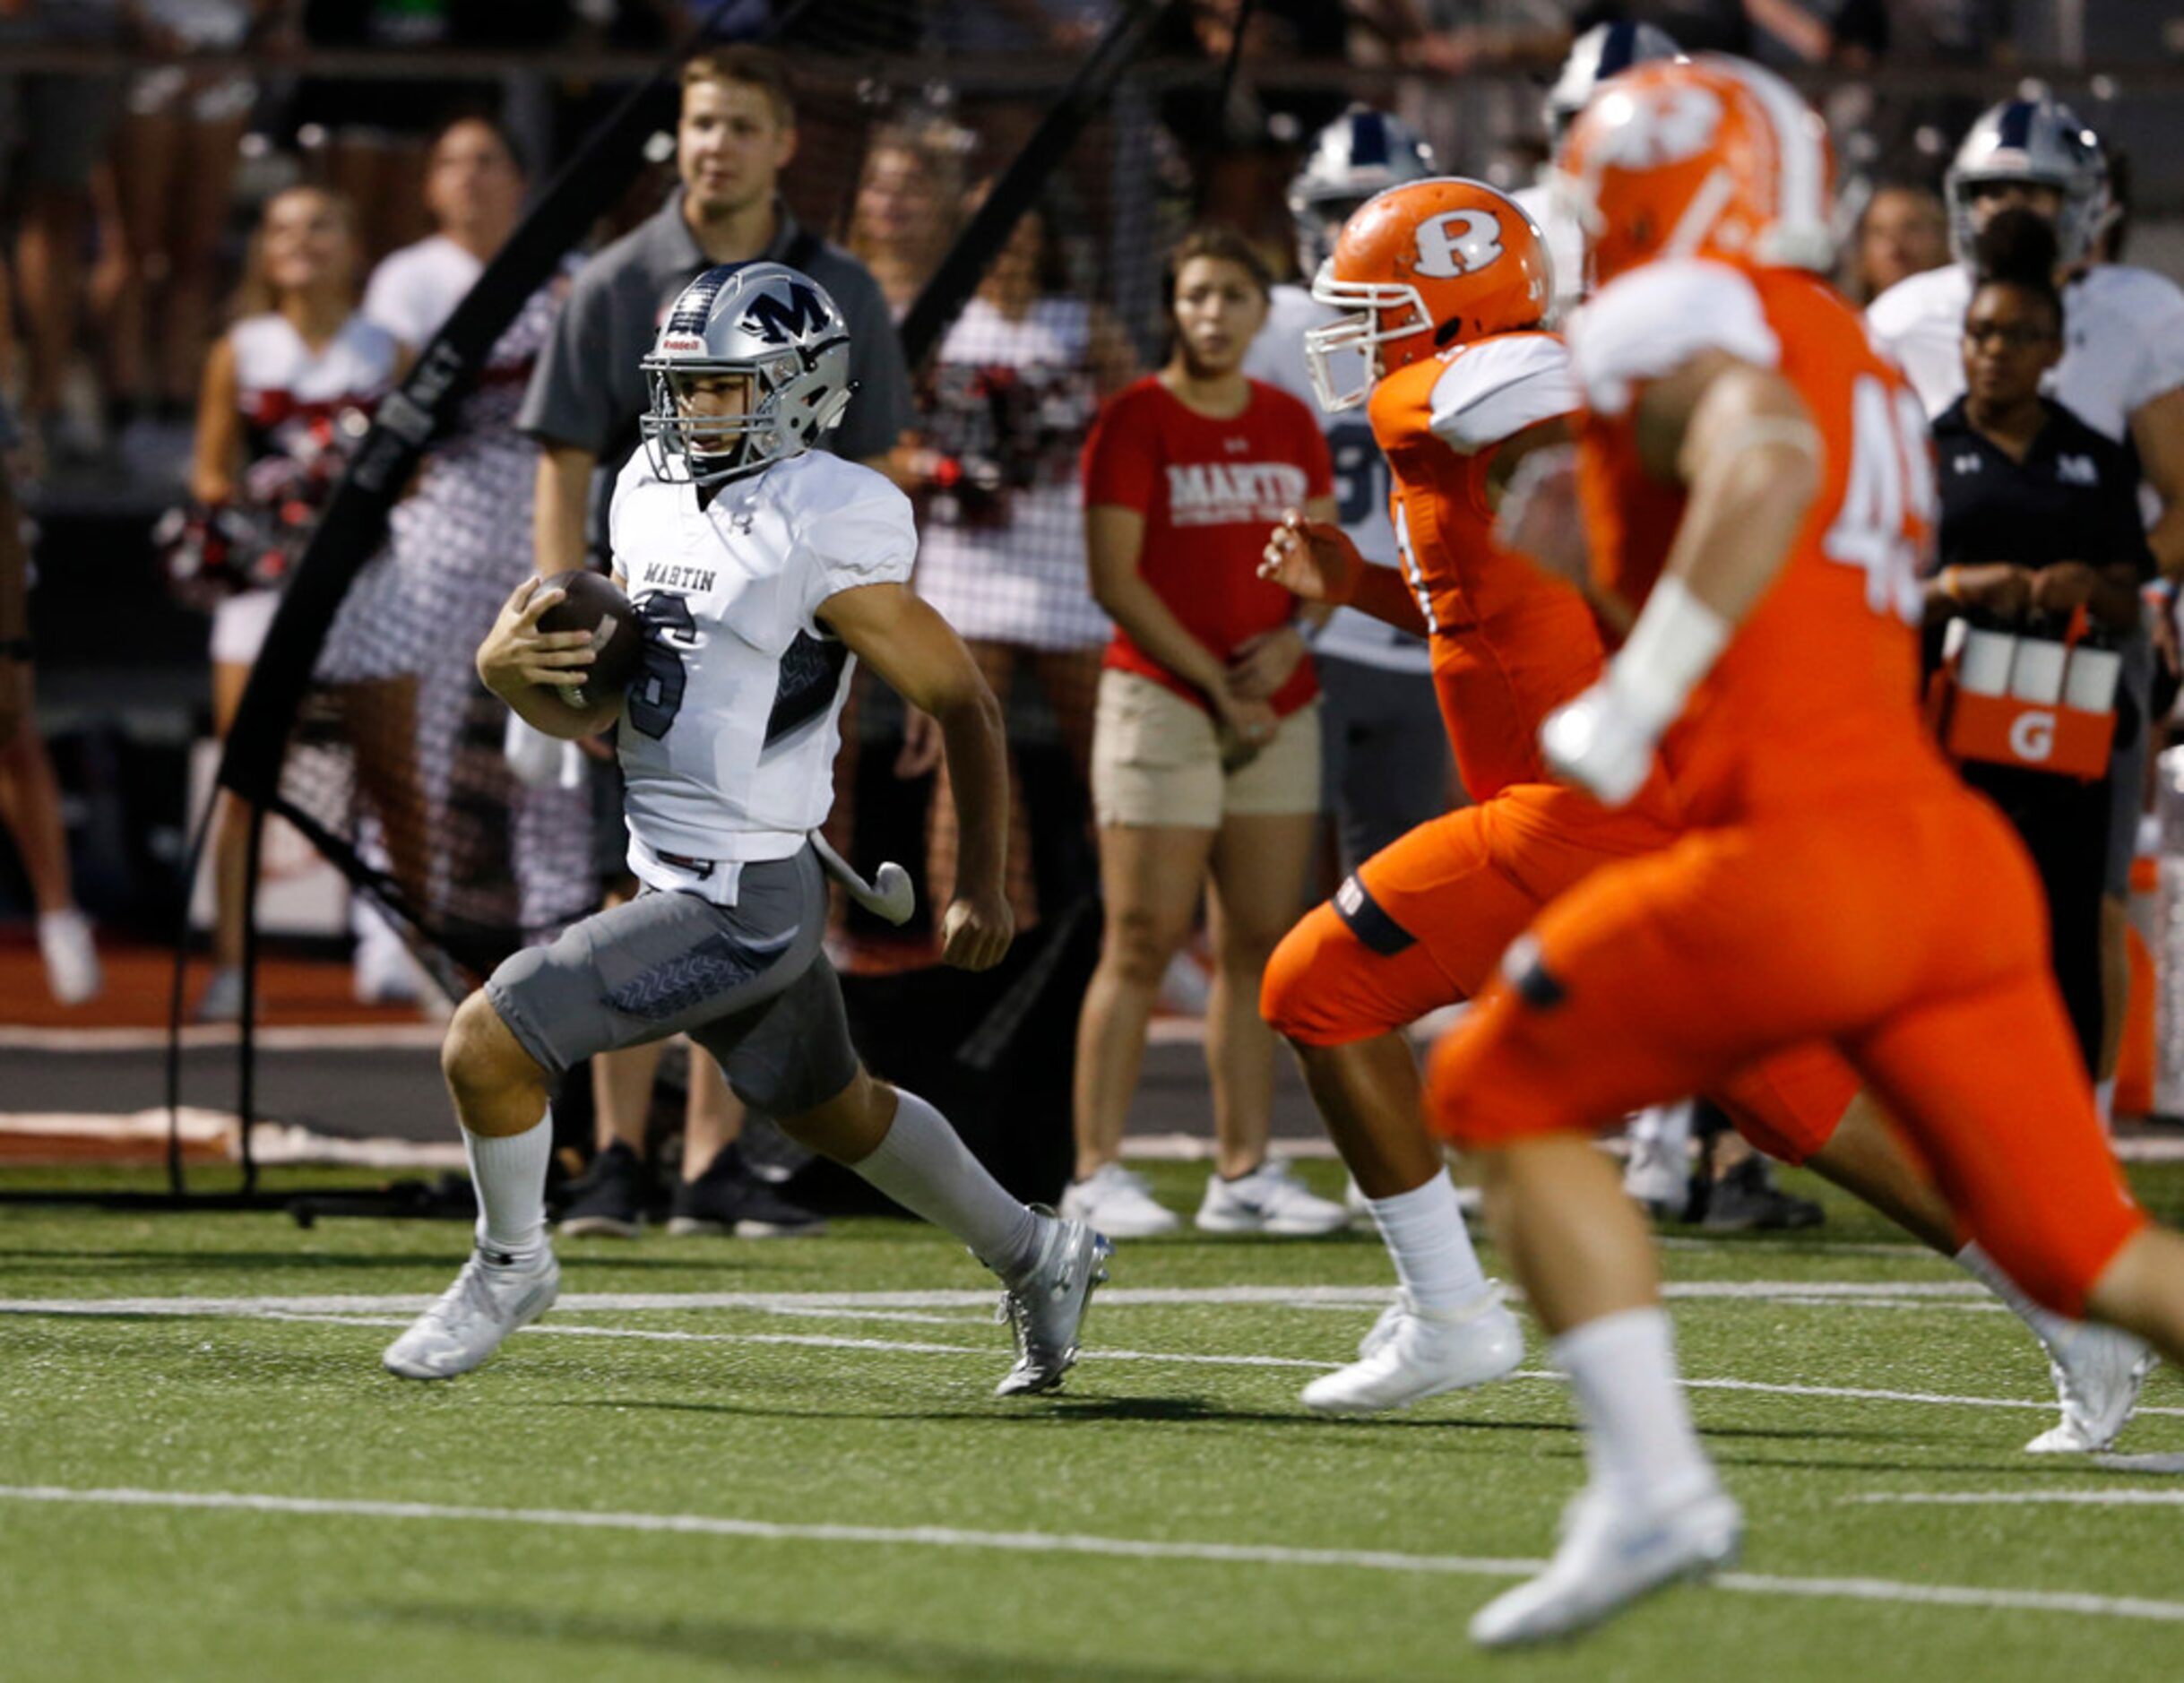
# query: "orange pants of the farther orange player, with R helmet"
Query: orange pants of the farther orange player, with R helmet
{"points": [[1427, 918]]}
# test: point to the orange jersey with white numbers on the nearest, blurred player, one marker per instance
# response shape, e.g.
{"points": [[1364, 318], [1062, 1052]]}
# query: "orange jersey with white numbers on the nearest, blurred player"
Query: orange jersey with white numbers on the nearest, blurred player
{"points": [[1816, 697]]}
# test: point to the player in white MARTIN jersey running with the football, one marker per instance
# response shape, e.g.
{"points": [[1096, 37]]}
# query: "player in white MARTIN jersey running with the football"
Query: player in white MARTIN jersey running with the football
{"points": [[763, 571]]}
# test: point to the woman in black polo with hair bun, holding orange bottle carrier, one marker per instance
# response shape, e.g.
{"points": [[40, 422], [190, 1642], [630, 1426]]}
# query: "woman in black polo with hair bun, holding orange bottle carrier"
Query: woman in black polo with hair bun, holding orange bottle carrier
{"points": [[2039, 518]]}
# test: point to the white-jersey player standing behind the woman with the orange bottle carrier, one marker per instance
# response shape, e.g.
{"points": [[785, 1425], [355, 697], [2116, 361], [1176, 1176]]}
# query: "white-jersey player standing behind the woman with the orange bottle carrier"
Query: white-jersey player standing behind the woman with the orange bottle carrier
{"points": [[2122, 374]]}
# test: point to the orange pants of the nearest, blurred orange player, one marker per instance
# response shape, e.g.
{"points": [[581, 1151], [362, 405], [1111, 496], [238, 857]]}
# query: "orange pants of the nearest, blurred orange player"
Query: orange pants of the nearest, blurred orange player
{"points": [[1910, 935]]}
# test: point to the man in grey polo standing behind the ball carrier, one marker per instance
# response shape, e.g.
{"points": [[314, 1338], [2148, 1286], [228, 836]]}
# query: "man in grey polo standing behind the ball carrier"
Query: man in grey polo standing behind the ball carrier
{"points": [[735, 136]]}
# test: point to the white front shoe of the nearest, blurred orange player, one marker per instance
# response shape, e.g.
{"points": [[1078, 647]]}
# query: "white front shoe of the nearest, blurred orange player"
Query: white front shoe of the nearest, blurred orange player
{"points": [[1613, 1553]]}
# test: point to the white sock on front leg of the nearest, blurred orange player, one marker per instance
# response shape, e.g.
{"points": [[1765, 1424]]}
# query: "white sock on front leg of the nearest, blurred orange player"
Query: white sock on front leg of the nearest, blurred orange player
{"points": [[1639, 1435]]}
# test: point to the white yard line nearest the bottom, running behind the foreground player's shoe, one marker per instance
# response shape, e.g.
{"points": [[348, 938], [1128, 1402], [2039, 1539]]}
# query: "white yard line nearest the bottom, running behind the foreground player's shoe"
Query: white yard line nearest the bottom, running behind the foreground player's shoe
{"points": [[1128, 1549]]}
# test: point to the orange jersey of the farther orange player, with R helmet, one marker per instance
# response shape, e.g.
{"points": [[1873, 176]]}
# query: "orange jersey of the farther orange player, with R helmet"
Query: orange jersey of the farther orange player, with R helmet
{"points": [[1510, 645]]}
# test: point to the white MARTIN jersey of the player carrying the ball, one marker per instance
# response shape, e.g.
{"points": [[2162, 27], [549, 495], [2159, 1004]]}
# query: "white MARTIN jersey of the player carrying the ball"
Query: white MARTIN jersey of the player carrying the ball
{"points": [[731, 730]]}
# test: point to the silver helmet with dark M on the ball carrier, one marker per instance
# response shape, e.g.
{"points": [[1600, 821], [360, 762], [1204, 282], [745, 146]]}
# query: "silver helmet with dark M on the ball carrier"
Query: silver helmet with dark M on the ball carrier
{"points": [[776, 331]]}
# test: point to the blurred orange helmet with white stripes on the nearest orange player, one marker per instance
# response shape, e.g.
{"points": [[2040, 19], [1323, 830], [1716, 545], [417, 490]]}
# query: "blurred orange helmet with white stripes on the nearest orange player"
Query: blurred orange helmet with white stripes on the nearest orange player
{"points": [[1692, 158]]}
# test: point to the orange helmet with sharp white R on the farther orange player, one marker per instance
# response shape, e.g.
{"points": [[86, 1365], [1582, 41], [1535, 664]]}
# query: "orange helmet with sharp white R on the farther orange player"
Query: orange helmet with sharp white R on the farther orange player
{"points": [[1425, 267]]}
